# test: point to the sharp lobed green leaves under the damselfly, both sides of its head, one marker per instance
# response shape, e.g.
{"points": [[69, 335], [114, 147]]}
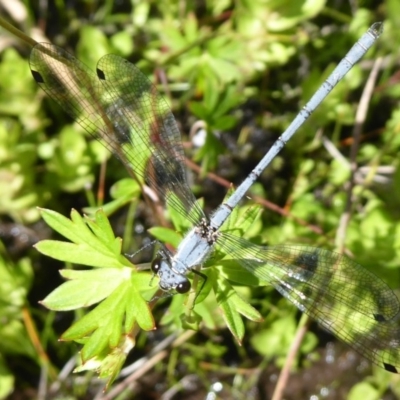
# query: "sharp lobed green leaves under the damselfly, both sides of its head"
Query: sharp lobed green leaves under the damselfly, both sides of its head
{"points": [[123, 293]]}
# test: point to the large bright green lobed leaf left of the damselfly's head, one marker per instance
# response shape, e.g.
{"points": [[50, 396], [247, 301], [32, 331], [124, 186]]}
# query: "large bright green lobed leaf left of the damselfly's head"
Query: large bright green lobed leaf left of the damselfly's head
{"points": [[122, 292]]}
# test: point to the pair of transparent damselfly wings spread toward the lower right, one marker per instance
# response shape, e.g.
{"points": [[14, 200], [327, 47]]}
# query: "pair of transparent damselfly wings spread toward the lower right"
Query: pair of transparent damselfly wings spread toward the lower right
{"points": [[345, 298]]}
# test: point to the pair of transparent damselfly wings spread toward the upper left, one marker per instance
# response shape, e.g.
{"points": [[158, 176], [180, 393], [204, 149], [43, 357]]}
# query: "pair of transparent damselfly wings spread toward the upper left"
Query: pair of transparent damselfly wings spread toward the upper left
{"points": [[123, 109]]}
